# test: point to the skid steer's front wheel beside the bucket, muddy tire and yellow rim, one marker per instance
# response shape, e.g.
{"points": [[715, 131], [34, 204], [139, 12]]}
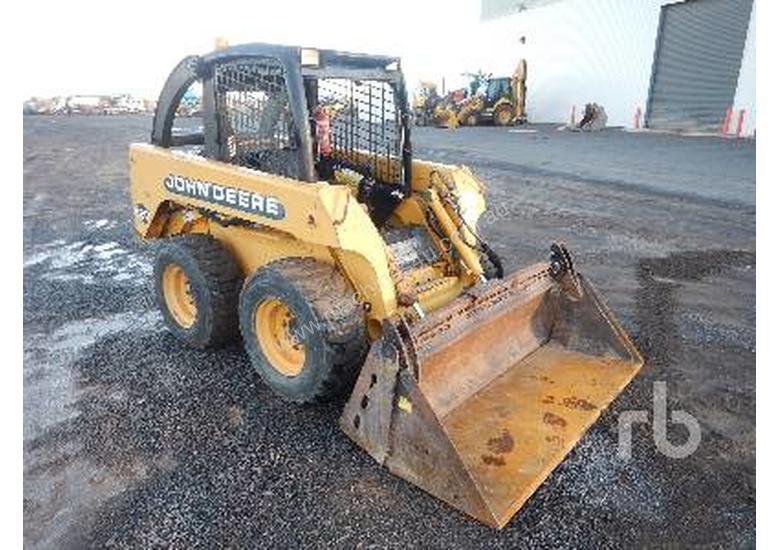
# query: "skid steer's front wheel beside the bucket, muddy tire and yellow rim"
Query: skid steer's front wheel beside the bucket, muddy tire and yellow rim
{"points": [[303, 329]]}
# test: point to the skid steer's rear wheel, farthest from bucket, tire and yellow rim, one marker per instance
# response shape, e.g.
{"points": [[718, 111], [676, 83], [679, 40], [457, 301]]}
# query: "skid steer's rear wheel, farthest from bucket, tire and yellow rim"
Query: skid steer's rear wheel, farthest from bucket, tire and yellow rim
{"points": [[197, 283]]}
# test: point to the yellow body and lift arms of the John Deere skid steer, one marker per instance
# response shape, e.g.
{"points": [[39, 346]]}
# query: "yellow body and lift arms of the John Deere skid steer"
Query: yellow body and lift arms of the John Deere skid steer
{"points": [[321, 220]]}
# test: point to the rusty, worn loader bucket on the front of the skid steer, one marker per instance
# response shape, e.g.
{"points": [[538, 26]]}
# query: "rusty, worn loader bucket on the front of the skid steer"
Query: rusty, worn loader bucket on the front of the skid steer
{"points": [[478, 402]]}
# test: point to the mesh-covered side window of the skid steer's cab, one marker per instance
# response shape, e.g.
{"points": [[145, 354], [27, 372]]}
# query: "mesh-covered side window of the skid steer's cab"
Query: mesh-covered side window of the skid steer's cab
{"points": [[255, 124]]}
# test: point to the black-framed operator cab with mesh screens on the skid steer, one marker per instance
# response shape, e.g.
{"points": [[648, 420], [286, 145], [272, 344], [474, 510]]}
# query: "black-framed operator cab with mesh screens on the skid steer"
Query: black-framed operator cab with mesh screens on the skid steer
{"points": [[301, 113]]}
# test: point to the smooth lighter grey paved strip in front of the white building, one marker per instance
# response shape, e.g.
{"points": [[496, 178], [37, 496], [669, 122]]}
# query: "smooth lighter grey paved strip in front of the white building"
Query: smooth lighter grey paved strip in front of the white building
{"points": [[697, 167]]}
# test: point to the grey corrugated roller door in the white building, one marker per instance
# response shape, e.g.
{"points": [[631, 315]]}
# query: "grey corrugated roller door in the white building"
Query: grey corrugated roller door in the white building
{"points": [[697, 63]]}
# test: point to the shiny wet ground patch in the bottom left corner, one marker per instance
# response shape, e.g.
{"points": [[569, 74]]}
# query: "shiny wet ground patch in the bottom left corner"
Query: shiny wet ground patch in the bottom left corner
{"points": [[63, 485]]}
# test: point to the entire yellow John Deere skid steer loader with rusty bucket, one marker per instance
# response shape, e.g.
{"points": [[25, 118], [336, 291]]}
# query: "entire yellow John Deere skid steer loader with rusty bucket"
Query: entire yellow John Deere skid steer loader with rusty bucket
{"points": [[296, 216]]}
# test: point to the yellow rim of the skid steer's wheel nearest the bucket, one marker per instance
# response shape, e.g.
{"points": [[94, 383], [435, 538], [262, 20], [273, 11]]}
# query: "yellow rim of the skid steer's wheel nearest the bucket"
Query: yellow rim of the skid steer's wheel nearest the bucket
{"points": [[274, 331]]}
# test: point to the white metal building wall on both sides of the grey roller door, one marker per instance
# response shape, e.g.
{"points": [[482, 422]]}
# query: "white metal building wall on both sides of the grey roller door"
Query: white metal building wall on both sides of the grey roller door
{"points": [[588, 50]]}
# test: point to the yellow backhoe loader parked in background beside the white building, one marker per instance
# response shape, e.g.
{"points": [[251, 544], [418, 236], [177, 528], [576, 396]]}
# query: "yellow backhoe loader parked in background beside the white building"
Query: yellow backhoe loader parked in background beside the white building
{"points": [[496, 100]]}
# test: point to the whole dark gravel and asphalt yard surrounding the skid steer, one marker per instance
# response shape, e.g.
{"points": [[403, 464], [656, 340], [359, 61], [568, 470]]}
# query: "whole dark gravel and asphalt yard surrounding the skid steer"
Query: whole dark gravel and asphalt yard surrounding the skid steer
{"points": [[132, 439]]}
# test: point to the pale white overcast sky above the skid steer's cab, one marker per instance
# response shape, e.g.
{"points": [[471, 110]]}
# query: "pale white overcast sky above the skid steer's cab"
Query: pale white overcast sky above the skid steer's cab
{"points": [[87, 47]]}
